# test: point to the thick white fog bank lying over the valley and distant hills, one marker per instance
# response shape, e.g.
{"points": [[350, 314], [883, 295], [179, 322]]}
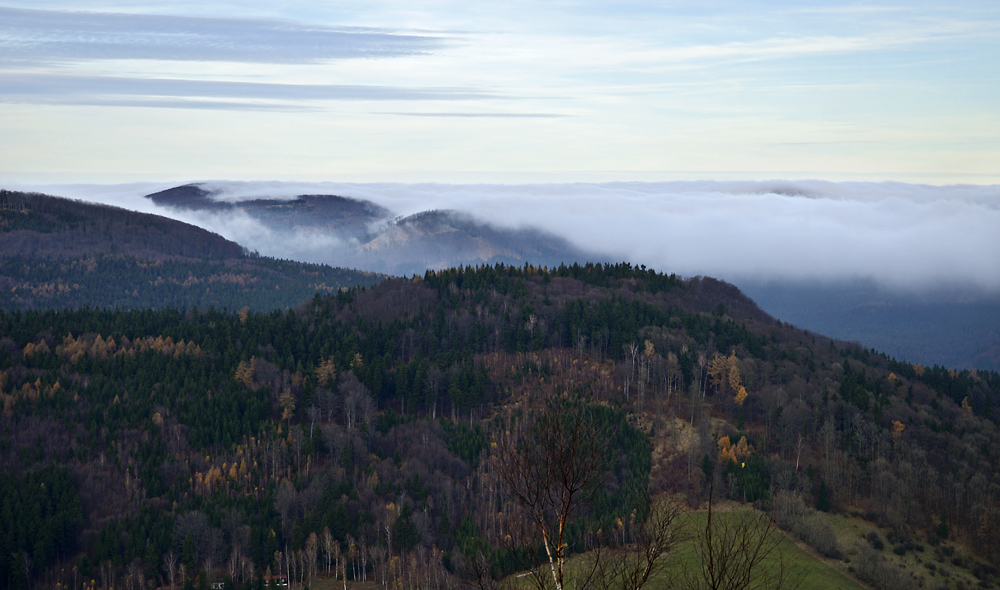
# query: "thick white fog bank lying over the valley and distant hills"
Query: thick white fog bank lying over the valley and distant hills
{"points": [[902, 236]]}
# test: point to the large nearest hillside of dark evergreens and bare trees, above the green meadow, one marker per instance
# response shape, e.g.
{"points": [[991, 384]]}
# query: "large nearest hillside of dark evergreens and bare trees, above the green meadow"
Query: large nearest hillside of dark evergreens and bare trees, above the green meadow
{"points": [[361, 435]]}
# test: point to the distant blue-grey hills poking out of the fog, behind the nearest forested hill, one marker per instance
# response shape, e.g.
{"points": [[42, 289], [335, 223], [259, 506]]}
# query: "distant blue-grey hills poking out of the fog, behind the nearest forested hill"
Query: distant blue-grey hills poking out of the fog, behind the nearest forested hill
{"points": [[356, 233]]}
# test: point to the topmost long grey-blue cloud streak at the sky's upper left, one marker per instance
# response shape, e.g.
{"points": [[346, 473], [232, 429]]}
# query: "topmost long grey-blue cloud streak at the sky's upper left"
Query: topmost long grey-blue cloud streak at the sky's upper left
{"points": [[38, 36]]}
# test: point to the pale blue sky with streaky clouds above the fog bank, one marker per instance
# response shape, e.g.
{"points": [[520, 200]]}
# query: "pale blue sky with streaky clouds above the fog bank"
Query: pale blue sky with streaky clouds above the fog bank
{"points": [[516, 92]]}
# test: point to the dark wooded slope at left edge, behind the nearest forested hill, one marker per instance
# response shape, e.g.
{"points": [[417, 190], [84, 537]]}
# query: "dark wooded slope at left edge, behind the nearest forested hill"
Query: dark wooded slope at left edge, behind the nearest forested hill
{"points": [[60, 253]]}
